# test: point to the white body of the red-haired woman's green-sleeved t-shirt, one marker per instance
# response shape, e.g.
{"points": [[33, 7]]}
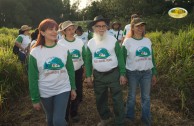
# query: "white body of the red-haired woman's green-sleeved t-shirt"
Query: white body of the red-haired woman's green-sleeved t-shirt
{"points": [[53, 77]]}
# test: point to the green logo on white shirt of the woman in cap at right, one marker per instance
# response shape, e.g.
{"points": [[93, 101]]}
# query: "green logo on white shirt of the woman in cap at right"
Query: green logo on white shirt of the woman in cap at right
{"points": [[143, 52]]}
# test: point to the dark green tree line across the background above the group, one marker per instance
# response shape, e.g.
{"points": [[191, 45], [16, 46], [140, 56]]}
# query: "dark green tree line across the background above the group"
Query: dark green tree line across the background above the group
{"points": [[16, 13]]}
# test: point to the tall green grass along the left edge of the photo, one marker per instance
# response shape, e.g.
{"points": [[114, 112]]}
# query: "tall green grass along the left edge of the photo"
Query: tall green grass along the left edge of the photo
{"points": [[13, 81]]}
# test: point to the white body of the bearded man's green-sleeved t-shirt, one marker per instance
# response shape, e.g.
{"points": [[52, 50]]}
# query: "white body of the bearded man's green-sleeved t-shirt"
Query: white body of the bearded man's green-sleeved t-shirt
{"points": [[103, 54]]}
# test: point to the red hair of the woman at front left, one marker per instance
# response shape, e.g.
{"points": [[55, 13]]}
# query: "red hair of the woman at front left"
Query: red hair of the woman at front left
{"points": [[43, 26]]}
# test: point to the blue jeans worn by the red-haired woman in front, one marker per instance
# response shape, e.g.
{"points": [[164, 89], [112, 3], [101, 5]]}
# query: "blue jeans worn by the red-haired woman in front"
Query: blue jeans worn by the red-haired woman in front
{"points": [[55, 109]]}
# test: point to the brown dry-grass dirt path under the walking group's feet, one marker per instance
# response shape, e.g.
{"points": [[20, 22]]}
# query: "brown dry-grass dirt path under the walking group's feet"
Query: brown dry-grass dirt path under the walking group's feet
{"points": [[164, 112]]}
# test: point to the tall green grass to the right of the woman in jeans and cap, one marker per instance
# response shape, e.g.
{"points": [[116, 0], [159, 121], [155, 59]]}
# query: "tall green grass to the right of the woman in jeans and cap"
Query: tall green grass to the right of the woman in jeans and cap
{"points": [[174, 55]]}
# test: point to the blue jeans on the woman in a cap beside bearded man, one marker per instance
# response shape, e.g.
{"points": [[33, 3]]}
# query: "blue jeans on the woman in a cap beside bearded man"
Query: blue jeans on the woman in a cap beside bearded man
{"points": [[143, 79]]}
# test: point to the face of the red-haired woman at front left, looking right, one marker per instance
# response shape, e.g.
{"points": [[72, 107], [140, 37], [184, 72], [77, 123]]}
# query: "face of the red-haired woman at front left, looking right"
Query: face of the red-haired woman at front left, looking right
{"points": [[50, 34]]}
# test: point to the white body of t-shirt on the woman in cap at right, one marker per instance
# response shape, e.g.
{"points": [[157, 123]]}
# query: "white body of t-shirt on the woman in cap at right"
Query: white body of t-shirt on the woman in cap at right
{"points": [[139, 54]]}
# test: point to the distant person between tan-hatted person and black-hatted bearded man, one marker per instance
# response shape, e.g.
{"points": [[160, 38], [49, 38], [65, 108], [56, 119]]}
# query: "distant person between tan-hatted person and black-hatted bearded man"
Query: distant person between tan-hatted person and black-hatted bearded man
{"points": [[81, 35]]}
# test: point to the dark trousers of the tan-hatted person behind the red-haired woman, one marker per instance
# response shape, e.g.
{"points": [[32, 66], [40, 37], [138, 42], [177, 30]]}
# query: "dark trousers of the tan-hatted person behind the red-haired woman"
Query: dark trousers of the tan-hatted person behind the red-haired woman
{"points": [[72, 108]]}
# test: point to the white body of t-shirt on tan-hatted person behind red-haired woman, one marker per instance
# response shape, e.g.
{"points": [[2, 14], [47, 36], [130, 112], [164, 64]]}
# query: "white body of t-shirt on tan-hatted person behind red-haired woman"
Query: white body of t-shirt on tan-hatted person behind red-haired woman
{"points": [[75, 49]]}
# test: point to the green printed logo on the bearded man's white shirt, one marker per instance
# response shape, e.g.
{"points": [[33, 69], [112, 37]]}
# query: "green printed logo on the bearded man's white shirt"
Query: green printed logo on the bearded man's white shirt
{"points": [[101, 53]]}
